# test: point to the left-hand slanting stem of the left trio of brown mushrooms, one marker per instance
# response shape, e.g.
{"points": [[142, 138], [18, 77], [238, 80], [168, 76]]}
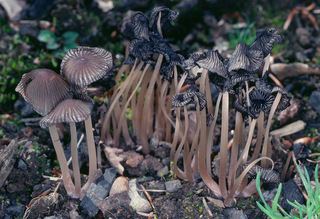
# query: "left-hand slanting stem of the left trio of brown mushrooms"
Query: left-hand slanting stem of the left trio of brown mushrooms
{"points": [[66, 177]]}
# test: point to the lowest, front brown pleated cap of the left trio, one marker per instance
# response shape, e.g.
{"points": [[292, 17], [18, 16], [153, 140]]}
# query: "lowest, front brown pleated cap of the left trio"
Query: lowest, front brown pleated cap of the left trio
{"points": [[69, 110]]}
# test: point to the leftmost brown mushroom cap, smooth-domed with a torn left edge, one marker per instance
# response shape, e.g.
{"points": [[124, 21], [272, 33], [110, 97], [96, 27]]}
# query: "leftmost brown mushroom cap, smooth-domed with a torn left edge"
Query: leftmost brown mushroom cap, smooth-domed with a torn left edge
{"points": [[43, 89]]}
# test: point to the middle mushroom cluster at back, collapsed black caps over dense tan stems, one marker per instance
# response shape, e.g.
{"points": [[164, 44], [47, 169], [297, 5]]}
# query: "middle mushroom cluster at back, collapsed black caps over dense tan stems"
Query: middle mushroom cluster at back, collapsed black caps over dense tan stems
{"points": [[151, 76]]}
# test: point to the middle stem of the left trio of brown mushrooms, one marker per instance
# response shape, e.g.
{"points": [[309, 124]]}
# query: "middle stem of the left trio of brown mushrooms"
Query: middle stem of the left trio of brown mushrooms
{"points": [[75, 159]]}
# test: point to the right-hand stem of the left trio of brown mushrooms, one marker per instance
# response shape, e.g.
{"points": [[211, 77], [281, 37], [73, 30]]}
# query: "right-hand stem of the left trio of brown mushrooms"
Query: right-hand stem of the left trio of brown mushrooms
{"points": [[91, 149]]}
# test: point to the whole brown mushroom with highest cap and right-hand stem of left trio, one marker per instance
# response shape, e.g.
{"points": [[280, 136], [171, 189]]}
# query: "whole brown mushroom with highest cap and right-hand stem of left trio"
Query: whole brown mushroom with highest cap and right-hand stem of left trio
{"points": [[81, 67]]}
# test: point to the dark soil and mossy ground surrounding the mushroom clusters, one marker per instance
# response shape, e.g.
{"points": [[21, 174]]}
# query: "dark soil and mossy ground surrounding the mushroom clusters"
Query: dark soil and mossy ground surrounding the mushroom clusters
{"points": [[219, 24]]}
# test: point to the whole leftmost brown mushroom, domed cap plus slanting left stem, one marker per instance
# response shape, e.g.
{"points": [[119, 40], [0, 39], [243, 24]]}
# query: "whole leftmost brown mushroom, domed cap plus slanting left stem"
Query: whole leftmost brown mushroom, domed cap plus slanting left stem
{"points": [[44, 89]]}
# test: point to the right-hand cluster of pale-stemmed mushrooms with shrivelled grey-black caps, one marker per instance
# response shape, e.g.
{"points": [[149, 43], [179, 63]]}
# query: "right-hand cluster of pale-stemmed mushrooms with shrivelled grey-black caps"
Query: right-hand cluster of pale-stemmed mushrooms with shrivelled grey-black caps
{"points": [[243, 82]]}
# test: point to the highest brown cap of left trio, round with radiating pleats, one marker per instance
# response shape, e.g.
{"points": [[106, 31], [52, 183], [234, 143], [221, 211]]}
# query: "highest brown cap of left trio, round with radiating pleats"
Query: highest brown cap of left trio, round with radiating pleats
{"points": [[84, 65]]}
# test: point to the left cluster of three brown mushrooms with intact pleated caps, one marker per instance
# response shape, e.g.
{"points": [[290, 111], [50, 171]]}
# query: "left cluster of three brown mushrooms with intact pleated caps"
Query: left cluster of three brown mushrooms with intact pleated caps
{"points": [[62, 98]]}
